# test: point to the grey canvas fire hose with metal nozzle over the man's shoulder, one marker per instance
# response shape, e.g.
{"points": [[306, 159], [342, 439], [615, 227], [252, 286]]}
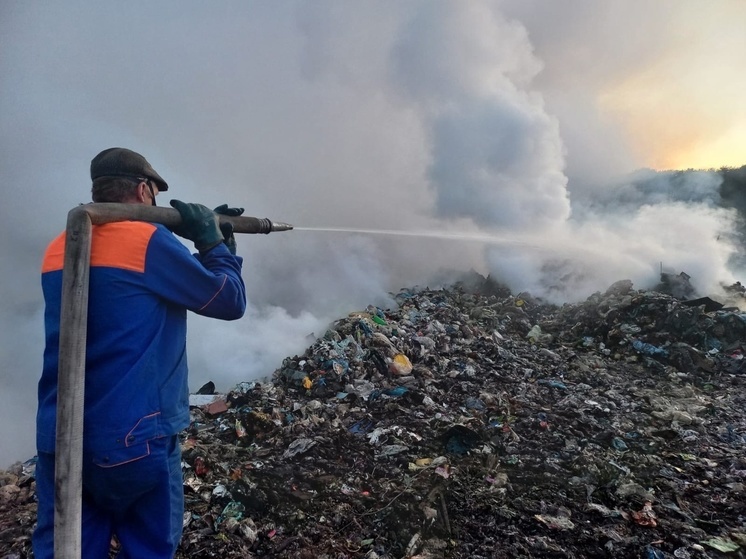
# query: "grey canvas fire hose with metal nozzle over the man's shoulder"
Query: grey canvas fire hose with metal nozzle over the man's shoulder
{"points": [[68, 471]]}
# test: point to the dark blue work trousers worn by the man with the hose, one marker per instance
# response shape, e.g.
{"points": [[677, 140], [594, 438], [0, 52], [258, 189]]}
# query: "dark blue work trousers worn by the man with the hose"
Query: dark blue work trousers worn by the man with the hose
{"points": [[141, 501]]}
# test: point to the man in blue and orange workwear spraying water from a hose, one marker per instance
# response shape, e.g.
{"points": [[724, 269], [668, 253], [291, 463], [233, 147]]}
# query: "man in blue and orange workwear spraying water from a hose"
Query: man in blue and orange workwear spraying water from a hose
{"points": [[142, 282]]}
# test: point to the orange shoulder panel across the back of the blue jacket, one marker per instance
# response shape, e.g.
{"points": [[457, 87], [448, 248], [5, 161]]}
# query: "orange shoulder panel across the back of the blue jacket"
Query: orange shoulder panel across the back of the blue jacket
{"points": [[122, 244]]}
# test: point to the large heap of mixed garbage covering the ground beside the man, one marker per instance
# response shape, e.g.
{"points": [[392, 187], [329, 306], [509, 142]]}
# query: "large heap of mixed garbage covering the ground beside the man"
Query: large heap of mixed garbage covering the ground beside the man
{"points": [[463, 425]]}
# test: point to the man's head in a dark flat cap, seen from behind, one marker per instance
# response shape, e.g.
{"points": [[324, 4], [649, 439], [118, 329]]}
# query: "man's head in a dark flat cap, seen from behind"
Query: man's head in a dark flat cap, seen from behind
{"points": [[122, 175]]}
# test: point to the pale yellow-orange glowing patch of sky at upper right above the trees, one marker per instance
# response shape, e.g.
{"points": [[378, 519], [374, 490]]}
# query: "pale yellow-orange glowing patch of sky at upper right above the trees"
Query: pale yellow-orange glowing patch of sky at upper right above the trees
{"points": [[687, 109]]}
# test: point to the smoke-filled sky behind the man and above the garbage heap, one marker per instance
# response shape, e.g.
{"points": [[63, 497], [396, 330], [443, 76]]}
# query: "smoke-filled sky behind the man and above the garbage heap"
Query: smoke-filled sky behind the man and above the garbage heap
{"points": [[511, 127]]}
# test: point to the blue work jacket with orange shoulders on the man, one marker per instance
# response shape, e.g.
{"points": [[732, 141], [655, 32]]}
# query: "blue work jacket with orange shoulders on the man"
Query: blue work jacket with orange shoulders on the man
{"points": [[142, 282]]}
